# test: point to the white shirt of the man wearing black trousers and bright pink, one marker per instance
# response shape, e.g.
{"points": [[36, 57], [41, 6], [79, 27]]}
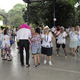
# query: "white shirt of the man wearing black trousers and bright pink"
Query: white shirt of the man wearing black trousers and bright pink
{"points": [[23, 34]]}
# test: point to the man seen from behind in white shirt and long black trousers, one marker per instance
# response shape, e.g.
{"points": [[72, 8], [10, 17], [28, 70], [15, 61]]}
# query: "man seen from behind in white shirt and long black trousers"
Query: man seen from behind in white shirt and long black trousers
{"points": [[23, 36]]}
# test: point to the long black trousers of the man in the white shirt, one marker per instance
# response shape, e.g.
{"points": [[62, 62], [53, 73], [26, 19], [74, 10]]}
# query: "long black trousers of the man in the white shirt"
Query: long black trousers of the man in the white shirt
{"points": [[24, 44]]}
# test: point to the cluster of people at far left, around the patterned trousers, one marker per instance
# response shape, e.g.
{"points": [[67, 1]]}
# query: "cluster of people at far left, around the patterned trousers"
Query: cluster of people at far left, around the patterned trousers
{"points": [[6, 41]]}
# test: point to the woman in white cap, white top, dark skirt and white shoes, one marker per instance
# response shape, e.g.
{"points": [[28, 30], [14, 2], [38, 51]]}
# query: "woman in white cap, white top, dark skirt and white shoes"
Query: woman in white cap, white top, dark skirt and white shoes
{"points": [[47, 39]]}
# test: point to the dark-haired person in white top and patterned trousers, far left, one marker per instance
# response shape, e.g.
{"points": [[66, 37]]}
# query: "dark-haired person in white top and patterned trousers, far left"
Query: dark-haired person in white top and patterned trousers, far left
{"points": [[6, 46]]}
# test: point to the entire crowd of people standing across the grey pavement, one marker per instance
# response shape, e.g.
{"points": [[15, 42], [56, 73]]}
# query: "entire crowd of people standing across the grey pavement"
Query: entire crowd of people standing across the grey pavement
{"points": [[41, 40]]}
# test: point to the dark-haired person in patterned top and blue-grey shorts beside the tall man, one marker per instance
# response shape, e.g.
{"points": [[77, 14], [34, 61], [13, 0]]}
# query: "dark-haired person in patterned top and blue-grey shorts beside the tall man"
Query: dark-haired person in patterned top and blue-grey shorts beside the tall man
{"points": [[36, 46]]}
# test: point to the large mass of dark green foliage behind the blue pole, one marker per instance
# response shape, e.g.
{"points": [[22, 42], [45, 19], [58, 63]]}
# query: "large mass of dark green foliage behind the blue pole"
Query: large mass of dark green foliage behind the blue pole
{"points": [[42, 13]]}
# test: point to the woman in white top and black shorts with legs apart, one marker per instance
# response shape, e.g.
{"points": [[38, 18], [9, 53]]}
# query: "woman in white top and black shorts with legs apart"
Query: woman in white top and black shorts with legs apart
{"points": [[61, 41]]}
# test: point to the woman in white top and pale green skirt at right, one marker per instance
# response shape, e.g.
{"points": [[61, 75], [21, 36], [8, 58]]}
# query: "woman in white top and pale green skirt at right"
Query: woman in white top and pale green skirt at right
{"points": [[73, 40]]}
